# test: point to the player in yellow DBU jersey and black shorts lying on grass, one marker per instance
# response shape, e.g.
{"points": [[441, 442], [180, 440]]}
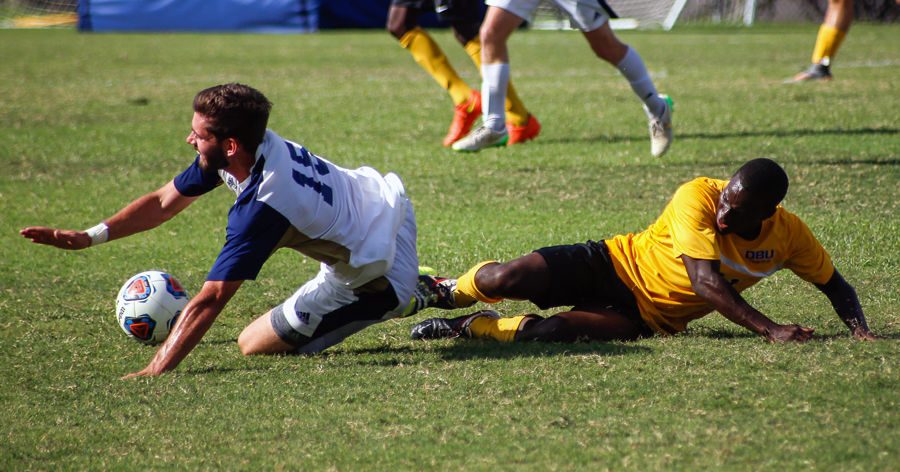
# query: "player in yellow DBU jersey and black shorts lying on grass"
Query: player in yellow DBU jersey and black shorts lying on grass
{"points": [[714, 239]]}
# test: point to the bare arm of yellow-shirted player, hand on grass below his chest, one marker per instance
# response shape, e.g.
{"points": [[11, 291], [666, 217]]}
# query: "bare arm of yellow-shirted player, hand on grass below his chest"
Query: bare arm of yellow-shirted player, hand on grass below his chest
{"points": [[709, 284]]}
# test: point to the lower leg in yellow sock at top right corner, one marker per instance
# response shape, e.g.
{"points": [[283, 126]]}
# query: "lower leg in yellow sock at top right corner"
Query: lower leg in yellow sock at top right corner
{"points": [[834, 28]]}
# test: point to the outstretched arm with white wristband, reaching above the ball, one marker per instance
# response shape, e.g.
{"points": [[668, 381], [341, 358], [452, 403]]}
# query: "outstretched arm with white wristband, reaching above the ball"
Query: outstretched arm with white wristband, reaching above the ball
{"points": [[146, 212]]}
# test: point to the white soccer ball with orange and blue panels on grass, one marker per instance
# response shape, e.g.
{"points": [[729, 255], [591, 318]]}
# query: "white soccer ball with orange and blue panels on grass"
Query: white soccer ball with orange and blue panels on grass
{"points": [[148, 305]]}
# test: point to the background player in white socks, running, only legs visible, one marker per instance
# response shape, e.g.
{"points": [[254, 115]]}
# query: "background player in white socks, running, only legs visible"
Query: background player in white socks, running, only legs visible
{"points": [[592, 18]]}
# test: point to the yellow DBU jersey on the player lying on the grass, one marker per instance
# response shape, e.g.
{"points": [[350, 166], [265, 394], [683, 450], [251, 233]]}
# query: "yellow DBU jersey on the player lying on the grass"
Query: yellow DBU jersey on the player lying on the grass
{"points": [[650, 264]]}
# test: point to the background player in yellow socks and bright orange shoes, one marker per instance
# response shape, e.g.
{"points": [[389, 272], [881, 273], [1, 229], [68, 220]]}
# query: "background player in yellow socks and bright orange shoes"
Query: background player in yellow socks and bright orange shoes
{"points": [[465, 18]]}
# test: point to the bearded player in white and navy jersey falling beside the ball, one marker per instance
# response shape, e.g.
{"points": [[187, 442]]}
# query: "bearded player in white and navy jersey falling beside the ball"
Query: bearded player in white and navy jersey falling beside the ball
{"points": [[359, 224]]}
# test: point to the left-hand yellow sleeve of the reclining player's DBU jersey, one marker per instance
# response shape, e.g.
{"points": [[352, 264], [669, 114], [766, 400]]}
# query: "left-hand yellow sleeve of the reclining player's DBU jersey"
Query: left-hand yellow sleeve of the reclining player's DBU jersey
{"points": [[692, 218]]}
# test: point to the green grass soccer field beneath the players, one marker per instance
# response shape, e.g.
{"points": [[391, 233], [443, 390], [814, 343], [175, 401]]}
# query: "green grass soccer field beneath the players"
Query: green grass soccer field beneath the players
{"points": [[89, 122]]}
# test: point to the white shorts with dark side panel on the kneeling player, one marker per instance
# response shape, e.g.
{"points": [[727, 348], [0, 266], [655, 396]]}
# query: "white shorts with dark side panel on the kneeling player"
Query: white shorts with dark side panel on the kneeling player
{"points": [[327, 309]]}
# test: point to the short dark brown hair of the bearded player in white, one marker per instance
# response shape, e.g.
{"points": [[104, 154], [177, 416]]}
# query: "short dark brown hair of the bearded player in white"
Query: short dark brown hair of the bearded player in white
{"points": [[235, 111]]}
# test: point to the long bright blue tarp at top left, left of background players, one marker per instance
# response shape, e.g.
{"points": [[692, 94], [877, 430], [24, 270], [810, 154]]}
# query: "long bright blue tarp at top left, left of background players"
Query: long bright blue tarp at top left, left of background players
{"points": [[258, 16]]}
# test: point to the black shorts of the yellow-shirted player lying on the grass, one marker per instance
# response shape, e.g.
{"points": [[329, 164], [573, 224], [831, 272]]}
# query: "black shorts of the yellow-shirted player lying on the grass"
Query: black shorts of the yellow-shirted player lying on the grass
{"points": [[584, 275]]}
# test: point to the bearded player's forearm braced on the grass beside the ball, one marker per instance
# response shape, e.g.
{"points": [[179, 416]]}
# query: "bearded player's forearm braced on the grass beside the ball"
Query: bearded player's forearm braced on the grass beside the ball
{"points": [[195, 320]]}
